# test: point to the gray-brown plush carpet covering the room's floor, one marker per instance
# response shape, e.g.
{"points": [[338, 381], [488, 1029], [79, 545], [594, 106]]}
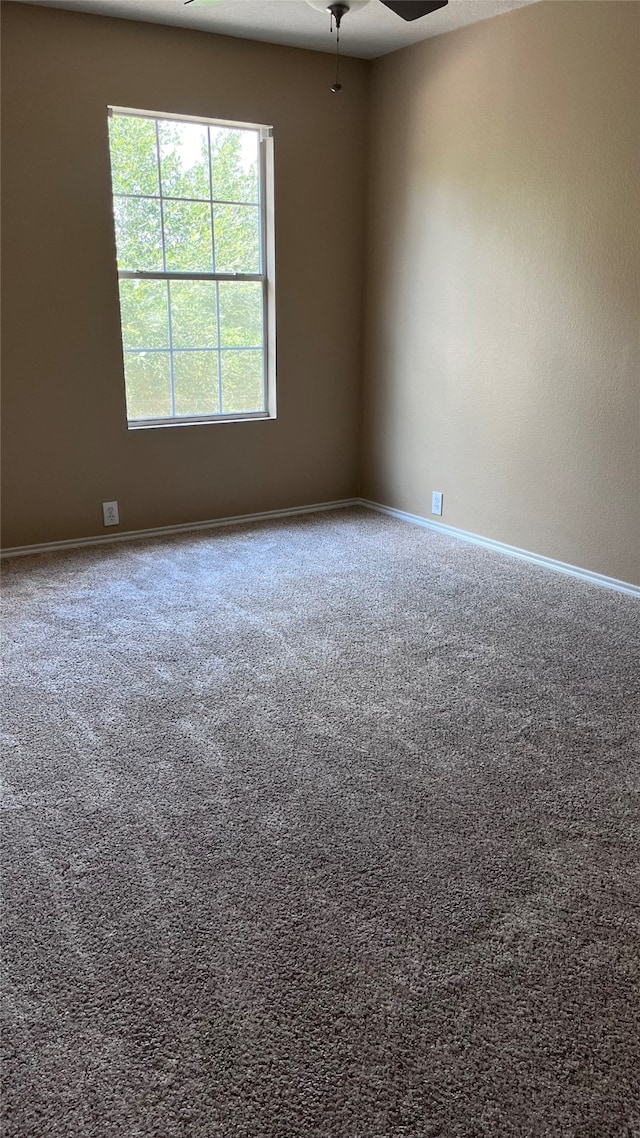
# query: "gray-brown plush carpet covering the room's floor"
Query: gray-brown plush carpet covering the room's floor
{"points": [[321, 829]]}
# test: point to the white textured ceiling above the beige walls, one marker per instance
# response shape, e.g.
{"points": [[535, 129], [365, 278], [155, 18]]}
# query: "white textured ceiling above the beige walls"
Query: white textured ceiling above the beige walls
{"points": [[367, 34]]}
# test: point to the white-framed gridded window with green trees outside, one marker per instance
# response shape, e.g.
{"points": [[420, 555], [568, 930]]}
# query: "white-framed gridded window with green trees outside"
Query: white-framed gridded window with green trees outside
{"points": [[194, 225]]}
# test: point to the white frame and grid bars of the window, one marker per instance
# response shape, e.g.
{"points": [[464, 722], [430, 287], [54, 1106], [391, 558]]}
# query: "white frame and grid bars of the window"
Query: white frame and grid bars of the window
{"points": [[266, 277]]}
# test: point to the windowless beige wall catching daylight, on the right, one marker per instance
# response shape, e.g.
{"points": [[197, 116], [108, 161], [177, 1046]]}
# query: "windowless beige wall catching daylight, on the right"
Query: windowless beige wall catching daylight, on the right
{"points": [[503, 345]]}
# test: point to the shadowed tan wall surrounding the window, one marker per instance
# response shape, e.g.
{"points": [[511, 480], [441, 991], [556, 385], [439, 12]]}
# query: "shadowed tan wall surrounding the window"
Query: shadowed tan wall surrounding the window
{"points": [[67, 448]]}
